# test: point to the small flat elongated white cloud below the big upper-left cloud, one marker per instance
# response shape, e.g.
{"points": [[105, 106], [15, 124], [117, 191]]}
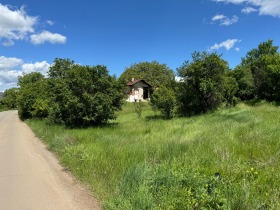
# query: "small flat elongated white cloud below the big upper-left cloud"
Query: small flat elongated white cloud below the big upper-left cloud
{"points": [[47, 36]]}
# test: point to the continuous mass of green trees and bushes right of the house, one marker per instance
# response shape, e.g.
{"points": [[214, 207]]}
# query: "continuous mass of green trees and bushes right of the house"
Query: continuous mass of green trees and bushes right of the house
{"points": [[208, 83]]}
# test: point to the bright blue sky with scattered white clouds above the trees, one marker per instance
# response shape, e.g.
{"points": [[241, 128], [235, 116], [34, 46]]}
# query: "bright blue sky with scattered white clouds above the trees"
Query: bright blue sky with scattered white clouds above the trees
{"points": [[120, 33]]}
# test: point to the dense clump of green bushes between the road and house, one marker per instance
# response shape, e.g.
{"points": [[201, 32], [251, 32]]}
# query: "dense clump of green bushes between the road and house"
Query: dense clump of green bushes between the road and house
{"points": [[72, 94]]}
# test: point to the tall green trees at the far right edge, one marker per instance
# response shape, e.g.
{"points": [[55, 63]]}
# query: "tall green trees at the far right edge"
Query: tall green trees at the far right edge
{"points": [[259, 72]]}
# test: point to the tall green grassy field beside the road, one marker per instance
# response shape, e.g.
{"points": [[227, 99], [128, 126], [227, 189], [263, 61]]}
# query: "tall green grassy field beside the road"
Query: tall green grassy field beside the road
{"points": [[228, 159]]}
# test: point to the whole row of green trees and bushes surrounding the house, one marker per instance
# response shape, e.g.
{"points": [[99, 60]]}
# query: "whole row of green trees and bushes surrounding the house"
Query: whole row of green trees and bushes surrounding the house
{"points": [[77, 95]]}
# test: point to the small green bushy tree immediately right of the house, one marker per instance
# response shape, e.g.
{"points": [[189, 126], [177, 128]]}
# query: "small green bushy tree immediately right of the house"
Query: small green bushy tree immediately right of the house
{"points": [[164, 99]]}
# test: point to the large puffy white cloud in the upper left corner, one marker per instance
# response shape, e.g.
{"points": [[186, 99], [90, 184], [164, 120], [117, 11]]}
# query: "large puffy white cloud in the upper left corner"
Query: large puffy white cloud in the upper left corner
{"points": [[15, 25]]}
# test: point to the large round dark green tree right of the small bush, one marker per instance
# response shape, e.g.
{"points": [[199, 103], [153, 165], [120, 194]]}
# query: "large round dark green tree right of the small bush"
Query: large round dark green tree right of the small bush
{"points": [[203, 88]]}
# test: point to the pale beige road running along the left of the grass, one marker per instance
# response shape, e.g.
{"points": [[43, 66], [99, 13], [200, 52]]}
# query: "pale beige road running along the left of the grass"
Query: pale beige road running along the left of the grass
{"points": [[30, 176]]}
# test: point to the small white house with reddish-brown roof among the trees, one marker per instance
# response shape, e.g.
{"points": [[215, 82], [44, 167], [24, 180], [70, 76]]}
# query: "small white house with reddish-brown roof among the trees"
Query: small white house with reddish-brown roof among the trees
{"points": [[138, 90]]}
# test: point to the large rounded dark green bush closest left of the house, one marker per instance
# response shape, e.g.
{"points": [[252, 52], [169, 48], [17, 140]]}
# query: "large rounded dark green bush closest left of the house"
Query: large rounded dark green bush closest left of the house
{"points": [[82, 95]]}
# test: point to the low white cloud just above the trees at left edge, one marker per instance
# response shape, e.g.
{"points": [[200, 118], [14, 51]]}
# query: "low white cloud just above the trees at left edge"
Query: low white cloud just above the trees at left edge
{"points": [[11, 68]]}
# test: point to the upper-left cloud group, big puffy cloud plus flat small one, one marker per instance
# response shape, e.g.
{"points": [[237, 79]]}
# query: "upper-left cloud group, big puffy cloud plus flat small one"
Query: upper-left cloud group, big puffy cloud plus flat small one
{"points": [[17, 25]]}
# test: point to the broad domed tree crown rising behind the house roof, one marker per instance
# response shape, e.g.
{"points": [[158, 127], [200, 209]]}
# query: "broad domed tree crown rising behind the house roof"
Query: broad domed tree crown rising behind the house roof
{"points": [[154, 73]]}
